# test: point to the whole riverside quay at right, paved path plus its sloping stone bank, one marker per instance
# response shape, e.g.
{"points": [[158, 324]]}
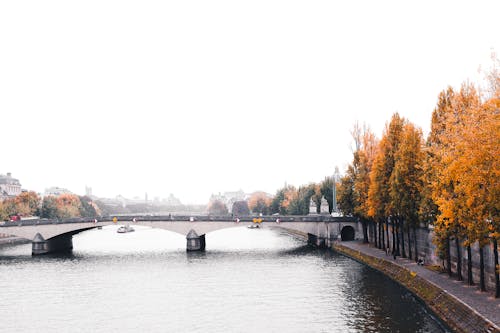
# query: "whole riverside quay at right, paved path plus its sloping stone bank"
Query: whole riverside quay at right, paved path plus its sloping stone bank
{"points": [[463, 307]]}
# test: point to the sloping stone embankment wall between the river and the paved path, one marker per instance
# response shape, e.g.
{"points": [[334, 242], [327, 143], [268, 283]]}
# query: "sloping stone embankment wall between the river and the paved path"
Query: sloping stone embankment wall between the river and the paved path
{"points": [[451, 310]]}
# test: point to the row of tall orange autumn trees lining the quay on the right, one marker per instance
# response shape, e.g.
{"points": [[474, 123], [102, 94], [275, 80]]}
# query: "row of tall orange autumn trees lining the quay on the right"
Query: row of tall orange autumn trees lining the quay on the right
{"points": [[450, 180]]}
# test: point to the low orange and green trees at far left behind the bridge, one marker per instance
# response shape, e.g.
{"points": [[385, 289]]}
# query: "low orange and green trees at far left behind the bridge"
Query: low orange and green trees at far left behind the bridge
{"points": [[51, 207]]}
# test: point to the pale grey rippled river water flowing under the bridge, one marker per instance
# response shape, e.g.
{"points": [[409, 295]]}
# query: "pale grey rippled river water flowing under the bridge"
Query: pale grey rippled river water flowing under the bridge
{"points": [[247, 280]]}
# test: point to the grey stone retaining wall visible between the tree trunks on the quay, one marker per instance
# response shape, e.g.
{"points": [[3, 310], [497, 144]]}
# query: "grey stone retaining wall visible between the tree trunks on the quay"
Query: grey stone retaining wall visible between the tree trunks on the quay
{"points": [[427, 251]]}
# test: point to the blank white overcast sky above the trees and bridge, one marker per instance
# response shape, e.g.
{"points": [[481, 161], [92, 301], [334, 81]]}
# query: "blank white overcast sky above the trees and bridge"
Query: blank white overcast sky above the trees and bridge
{"points": [[201, 97]]}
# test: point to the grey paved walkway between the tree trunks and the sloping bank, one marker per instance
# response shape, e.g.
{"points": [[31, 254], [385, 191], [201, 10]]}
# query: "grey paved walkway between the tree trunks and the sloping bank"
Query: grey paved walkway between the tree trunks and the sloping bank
{"points": [[482, 302]]}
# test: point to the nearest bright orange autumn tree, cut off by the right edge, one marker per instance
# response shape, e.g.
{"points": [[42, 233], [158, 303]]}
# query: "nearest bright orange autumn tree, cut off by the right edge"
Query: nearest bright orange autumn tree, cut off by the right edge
{"points": [[476, 172]]}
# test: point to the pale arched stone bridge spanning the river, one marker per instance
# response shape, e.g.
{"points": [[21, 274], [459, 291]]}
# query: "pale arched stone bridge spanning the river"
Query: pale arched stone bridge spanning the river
{"points": [[56, 235]]}
